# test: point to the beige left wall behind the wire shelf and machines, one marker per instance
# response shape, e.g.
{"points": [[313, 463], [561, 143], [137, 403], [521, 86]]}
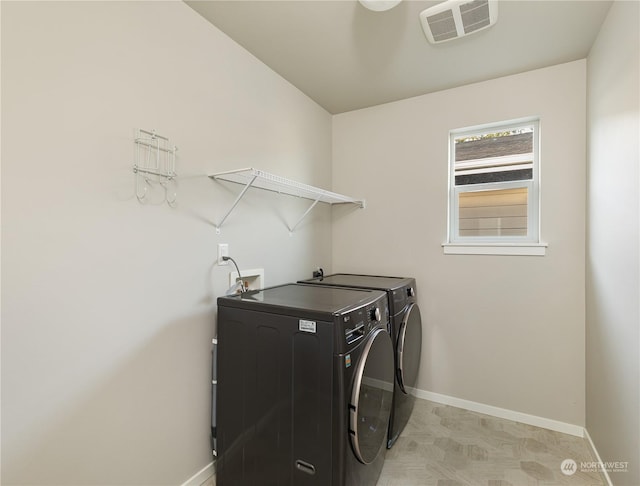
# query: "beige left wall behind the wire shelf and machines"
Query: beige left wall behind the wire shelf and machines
{"points": [[108, 305]]}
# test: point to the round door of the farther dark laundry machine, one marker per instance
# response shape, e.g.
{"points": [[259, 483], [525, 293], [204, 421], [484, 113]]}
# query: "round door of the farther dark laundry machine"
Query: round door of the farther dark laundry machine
{"points": [[409, 348]]}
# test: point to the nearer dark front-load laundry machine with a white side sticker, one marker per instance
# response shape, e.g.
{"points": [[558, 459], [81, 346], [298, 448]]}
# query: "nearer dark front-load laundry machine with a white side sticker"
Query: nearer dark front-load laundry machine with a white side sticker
{"points": [[303, 387]]}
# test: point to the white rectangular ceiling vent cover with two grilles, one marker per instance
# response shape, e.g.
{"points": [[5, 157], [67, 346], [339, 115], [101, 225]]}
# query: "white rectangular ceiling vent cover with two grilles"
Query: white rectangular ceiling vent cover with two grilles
{"points": [[456, 18]]}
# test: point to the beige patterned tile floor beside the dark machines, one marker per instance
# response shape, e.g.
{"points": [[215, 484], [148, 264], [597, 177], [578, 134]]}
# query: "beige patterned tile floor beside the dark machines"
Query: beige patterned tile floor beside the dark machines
{"points": [[449, 446]]}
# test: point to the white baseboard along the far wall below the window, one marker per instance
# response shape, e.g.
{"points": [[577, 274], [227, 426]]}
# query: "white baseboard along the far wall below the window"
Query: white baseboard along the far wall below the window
{"points": [[504, 413]]}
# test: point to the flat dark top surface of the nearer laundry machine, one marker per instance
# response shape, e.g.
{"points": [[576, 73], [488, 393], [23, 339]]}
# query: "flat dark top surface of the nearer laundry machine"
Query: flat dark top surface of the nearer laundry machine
{"points": [[299, 299]]}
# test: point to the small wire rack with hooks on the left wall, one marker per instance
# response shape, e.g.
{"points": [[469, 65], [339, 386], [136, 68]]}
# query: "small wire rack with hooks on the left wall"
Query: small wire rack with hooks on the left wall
{"points": [[155, 164]]}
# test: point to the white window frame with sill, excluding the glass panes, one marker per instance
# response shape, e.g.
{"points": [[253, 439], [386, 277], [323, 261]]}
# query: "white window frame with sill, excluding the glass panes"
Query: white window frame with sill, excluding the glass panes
{"points": [[530, 244]]}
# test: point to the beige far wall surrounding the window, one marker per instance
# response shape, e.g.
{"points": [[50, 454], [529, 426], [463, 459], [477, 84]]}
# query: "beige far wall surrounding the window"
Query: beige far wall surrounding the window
{"points": [[506, 331]]}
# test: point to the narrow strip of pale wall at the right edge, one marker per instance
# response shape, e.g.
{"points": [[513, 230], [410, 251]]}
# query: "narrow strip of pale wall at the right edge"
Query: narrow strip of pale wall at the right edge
{"points": [[613, 242]]}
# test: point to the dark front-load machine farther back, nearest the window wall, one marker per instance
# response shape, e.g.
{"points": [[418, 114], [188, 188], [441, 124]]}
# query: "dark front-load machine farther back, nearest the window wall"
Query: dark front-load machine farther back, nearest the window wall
{"points": [[406, 332]]}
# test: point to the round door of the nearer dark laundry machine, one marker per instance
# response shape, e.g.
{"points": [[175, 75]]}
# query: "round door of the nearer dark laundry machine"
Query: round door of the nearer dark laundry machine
{"points": [[371, 397]]}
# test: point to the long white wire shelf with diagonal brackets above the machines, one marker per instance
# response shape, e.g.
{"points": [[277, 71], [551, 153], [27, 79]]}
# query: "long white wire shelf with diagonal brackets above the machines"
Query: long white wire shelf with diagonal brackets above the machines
{"points": [[251, 177]]}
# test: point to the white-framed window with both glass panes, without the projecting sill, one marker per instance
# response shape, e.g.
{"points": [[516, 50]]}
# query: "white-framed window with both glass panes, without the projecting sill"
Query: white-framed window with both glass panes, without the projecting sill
{"points": [[494, 174]]}
